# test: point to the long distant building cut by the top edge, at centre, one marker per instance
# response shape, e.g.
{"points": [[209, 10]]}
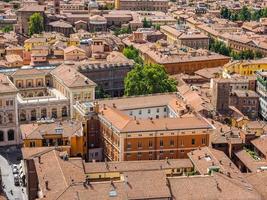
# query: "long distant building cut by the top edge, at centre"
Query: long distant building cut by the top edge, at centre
{"points": [[154, 5]]}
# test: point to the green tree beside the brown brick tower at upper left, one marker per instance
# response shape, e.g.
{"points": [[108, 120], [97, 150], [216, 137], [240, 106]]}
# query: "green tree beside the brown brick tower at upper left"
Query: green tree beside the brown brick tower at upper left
{"points": [[36, 24]]}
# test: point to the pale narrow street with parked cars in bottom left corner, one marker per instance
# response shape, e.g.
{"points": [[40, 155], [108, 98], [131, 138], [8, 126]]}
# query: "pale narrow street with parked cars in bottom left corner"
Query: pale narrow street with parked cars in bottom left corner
{"points": [[7, 158]]}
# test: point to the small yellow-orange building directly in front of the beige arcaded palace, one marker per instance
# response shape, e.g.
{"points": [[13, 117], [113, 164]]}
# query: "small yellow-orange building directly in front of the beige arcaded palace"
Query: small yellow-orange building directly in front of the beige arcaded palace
{"points": [[66, 134]]}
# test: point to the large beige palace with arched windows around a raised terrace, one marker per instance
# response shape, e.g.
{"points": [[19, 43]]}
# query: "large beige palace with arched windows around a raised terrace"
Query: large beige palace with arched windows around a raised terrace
{"points": [[30, 95]]}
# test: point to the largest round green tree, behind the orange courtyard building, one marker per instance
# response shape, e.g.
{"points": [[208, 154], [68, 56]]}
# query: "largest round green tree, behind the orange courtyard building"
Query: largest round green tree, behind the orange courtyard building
{"points": [[148, 79]]}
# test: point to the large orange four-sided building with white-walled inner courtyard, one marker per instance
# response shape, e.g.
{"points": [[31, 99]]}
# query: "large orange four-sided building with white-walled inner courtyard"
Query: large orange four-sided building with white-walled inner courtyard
{"points": [[148, 127]]}
